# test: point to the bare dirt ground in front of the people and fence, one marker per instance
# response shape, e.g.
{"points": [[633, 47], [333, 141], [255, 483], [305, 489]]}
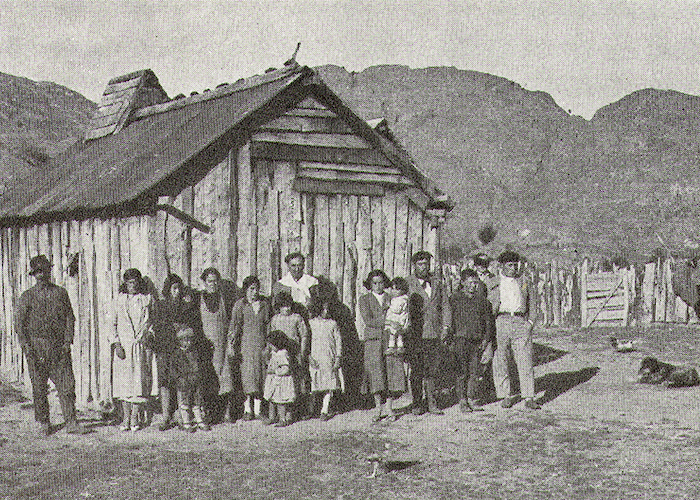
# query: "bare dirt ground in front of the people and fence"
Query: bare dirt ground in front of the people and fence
{"points": [[598, 436]]}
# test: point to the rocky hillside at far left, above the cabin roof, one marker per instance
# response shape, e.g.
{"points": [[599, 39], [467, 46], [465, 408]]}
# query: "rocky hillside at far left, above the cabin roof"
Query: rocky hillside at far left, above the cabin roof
{"points": [[37, 121]]}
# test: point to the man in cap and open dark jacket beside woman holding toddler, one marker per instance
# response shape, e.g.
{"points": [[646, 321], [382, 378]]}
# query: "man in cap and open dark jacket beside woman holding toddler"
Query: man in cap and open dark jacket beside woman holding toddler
{"points": [[429, 325]]}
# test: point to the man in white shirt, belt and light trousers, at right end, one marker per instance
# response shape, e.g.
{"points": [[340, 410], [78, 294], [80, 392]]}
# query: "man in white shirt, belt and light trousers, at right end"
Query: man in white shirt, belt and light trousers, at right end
{"points": [[514, 321]]}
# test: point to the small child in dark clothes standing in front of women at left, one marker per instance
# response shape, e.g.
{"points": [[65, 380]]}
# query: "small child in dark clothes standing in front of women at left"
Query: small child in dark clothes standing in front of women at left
{"points": [[187, 375]]}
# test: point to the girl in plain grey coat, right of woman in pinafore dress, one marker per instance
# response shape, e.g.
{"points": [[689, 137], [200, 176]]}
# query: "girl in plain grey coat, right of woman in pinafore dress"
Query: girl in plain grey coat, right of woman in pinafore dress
{"points": [[250, 321]]}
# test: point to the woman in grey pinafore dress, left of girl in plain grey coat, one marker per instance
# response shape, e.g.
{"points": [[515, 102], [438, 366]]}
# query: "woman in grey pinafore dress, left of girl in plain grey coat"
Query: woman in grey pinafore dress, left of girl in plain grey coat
{"points": [[215, 317]]}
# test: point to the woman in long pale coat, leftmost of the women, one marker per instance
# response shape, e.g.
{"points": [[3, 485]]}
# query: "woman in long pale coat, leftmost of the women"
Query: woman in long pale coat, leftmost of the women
{"points": [[132, 367]]}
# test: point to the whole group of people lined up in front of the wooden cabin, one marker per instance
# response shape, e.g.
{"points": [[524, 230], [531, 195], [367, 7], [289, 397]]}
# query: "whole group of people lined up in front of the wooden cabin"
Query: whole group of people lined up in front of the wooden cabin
{"points": [[221, 351]]}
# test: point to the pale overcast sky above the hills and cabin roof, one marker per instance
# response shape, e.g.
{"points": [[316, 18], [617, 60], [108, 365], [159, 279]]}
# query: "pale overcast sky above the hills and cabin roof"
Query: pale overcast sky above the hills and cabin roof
{"points": [[585, 54]]}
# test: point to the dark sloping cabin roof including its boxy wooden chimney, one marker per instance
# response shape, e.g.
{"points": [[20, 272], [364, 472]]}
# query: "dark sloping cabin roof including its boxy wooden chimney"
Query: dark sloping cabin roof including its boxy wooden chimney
{"points": [[134, 155]]}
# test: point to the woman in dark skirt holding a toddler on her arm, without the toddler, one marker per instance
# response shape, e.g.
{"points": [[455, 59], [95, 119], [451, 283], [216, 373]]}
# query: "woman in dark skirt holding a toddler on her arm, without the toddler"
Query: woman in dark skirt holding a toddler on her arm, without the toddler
{"points": [[385, 375]]}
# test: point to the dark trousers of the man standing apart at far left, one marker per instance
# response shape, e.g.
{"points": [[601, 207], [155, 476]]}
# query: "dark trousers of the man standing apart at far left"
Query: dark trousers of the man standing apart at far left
{"points": [[48, 361]]}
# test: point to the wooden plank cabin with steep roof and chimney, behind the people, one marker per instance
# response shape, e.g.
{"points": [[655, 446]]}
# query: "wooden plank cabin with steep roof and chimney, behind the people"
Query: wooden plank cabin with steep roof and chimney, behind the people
{"points": [[235, 178]]}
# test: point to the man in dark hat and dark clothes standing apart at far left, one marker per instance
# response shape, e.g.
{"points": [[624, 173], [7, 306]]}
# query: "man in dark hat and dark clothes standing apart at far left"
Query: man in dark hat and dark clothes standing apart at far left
{"points": [[45, 330]]}
